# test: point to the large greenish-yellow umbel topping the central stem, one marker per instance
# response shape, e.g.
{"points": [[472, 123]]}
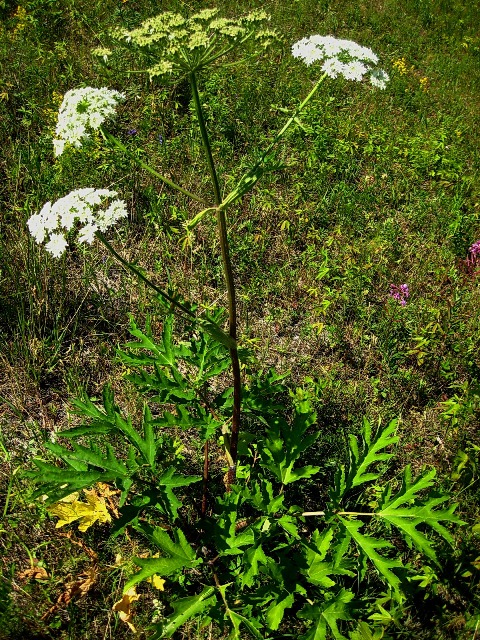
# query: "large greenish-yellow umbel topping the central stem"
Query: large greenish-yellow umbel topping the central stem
{"points": [[174, 45]]}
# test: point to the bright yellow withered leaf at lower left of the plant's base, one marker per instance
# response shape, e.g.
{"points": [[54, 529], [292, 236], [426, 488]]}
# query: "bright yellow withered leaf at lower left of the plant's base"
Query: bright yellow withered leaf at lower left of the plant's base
{"points": [[70, 509]]}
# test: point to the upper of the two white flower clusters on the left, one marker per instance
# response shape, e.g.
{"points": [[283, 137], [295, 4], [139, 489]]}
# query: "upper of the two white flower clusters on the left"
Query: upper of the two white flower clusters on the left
{"points": [[83, 109]]}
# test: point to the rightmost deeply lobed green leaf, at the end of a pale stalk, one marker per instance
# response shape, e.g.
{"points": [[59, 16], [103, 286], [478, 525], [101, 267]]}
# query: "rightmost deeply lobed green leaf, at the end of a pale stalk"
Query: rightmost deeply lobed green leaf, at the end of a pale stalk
{"points": [[407, 518]]}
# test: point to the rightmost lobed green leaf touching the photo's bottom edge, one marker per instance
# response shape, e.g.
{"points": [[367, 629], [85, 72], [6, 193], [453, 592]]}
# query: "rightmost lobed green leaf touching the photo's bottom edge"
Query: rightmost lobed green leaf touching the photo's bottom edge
{"points": [[326, 615]]}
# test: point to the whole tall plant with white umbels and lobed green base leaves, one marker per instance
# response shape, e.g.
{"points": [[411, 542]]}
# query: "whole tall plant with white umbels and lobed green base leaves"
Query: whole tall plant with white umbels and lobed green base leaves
{"points": [[235, 563]]}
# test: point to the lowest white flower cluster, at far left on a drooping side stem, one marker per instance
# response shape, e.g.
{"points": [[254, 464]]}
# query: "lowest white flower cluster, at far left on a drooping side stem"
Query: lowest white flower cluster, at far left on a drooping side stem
{"points": [[79, 205]]}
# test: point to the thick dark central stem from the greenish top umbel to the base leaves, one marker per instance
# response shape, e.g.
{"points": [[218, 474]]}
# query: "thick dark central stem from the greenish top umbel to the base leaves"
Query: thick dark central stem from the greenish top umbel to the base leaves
{"points": [[228, 273]]}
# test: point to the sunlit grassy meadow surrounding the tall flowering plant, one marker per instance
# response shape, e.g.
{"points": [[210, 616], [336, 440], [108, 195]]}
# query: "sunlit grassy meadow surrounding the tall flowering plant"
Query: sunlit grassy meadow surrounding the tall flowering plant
{"points": [[376, 188]]}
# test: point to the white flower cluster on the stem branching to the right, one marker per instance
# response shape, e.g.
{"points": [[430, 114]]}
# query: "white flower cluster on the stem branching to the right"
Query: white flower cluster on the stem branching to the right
{"points": [[341, 57]]}
